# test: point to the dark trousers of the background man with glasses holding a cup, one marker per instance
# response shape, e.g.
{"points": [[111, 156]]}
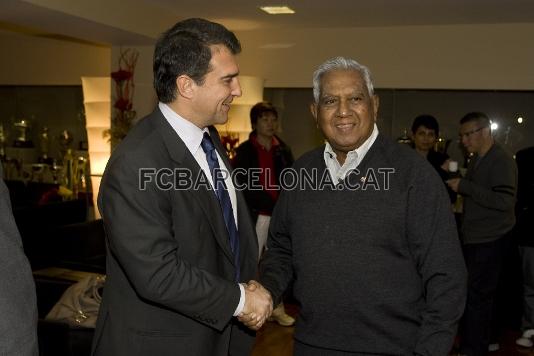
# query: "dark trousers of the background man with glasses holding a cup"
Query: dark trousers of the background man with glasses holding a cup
{"points": [[484, 262]]}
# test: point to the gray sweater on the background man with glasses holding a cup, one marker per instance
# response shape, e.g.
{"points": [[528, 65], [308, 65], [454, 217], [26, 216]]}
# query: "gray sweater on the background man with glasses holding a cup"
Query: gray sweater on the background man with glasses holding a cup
{"points": [[489, 190]]}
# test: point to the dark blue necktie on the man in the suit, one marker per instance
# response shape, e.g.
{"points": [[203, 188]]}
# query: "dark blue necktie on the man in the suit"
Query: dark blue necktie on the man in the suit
{"points": [[224, 198]]}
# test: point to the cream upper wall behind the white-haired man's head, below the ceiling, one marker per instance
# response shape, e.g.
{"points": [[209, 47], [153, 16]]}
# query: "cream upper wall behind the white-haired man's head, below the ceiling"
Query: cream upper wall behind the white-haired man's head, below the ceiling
{"points": [[444, 57]]}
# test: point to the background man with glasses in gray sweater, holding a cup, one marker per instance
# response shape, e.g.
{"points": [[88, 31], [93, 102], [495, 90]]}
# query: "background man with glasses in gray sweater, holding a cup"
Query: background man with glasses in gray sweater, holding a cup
{"points": [[489, 193]]}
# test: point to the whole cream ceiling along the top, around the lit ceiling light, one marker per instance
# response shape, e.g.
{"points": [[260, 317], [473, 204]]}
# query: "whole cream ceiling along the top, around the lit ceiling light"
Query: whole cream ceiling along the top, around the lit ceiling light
{"points": [[139, 22]]}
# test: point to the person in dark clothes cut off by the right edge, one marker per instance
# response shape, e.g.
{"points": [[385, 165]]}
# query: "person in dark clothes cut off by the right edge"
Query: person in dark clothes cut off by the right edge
{"points": [[524, 232]]}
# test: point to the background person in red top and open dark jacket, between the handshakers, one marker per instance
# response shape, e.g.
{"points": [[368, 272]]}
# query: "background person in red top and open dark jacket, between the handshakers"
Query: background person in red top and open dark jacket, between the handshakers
{"points": [[266, 152]]}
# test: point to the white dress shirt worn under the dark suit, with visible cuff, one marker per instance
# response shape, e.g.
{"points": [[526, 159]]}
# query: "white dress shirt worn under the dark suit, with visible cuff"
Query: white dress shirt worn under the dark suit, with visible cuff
{"points": [[192, 136]]}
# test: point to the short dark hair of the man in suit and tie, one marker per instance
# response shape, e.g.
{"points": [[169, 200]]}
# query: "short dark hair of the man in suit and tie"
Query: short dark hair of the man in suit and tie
{"points": [[185, 49]]}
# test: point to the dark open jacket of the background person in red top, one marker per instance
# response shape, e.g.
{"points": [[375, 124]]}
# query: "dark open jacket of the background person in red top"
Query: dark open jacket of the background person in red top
{"points": [[247, 157]]}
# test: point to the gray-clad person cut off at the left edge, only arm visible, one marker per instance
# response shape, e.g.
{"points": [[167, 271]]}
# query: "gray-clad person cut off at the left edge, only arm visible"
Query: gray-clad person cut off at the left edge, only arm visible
{"points": [[18, 305]]}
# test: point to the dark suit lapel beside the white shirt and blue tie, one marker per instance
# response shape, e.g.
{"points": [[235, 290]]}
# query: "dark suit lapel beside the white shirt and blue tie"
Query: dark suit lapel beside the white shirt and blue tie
{"points": [[207, 200]]}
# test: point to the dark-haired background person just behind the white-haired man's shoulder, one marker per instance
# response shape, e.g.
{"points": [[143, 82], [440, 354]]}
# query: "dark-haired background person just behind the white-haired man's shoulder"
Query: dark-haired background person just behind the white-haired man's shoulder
{"points": [[425, 133]]}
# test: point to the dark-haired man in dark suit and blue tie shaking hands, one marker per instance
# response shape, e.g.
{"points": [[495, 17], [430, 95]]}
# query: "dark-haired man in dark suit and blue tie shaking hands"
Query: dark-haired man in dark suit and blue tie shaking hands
{"points": [[178, 233]]}
